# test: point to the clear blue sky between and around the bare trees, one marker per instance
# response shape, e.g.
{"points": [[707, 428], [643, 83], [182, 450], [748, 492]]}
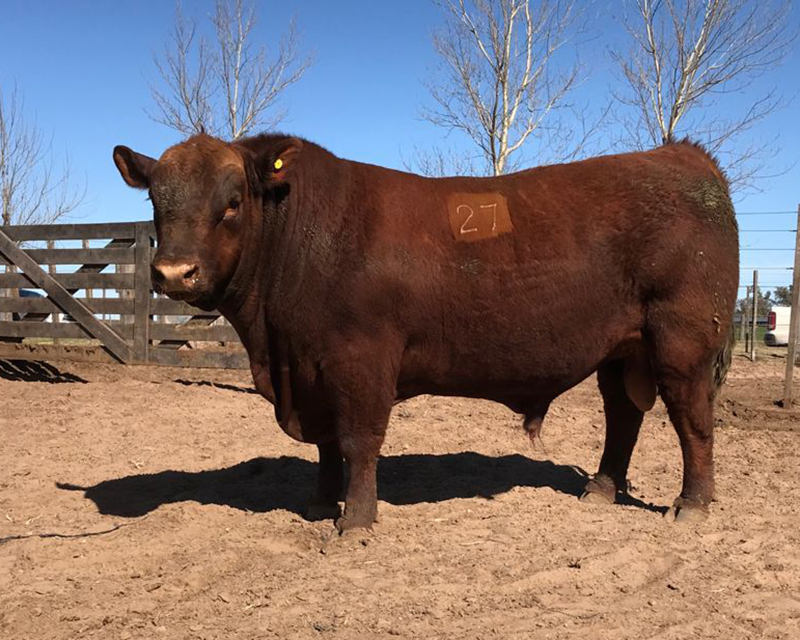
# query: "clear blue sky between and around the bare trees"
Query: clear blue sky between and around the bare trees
{"points": [[85, 67]]}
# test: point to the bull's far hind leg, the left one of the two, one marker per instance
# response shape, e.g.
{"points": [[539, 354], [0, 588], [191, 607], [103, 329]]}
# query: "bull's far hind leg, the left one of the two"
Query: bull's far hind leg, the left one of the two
{"points": [[623, 420]]}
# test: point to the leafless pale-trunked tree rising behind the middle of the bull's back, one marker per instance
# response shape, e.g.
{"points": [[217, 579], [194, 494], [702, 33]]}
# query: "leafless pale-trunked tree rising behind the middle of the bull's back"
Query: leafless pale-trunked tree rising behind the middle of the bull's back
{"points": [[504, 80]]}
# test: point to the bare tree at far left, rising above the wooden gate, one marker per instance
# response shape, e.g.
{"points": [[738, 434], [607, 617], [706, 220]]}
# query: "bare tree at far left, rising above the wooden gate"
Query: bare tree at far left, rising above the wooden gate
{"points": [[32, 190]]}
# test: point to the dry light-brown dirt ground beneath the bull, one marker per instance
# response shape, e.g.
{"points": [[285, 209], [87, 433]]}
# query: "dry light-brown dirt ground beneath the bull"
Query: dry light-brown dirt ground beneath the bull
{"points": [[165, 503]]}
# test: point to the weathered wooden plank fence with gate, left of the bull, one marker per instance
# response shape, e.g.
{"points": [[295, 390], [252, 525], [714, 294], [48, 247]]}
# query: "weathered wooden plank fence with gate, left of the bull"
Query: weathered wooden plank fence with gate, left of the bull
{"points": [[63, 298]]}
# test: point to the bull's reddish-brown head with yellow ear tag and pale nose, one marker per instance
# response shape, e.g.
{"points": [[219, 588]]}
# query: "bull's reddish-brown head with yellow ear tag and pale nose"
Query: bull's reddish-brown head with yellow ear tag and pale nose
{"points": [[206, 194]]}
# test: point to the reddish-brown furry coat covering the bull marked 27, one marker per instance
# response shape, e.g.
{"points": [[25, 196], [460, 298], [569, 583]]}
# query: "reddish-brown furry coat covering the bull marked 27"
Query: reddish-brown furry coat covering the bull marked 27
{"points": [[351, 290]]}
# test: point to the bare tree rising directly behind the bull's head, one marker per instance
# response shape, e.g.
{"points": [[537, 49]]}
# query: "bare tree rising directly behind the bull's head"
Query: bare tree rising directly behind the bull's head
{"points": [[228, 89]]}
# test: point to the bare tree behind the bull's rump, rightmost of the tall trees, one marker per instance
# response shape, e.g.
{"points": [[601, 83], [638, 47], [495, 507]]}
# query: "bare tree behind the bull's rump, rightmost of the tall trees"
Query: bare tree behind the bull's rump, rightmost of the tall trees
{"points": [[686, 55]]}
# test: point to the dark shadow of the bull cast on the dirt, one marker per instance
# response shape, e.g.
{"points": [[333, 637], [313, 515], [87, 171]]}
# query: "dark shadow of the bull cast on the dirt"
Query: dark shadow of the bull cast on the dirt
{"points": [[265, 484]]}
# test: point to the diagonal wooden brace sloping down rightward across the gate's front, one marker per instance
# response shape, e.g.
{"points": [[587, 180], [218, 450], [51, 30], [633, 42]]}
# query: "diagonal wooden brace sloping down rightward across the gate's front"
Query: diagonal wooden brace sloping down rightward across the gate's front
{"points": [[55, 290]]}
